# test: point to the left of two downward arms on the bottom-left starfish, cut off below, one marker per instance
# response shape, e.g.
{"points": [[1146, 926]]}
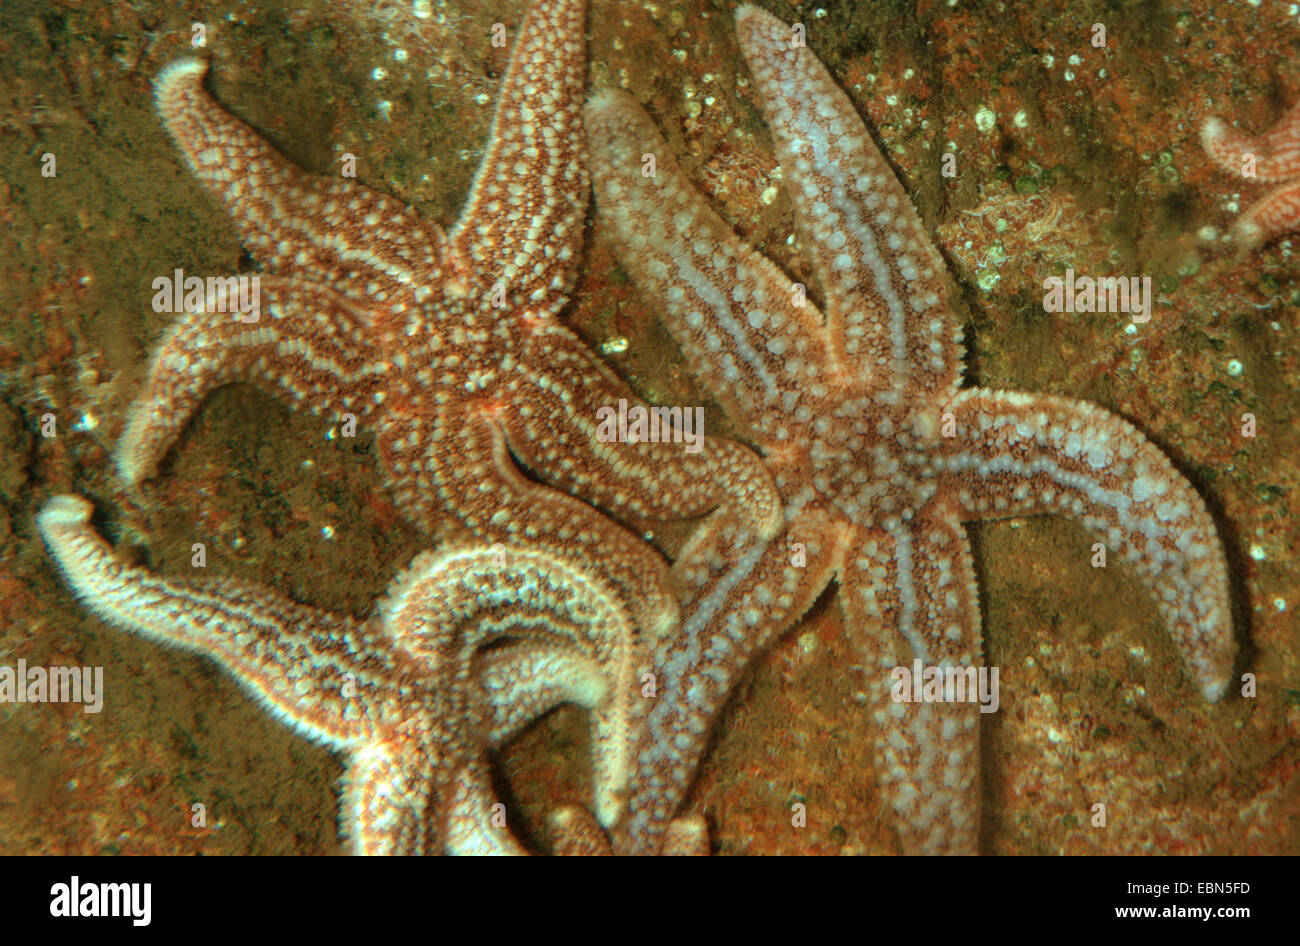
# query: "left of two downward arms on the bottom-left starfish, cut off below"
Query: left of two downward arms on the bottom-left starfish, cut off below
{"points": [[384, 802]]}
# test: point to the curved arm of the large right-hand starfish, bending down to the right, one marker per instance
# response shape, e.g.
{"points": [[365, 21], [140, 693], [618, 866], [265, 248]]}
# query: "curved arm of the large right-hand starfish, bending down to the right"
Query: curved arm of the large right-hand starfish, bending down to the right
{"points": [[1016, 455]]}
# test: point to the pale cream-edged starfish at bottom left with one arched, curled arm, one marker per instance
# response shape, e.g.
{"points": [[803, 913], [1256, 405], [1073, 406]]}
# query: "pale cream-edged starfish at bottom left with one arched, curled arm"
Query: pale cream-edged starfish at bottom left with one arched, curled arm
{"points": [[398, 695]]}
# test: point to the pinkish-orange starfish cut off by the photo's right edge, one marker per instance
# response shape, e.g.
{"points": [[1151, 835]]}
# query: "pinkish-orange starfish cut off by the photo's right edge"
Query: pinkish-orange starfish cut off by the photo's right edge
{"points": [[1273, 158]]}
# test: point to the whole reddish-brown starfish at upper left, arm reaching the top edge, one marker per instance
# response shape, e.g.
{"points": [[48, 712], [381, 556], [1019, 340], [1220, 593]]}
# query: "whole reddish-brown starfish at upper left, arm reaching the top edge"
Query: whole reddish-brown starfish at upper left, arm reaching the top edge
{"points": [[448, 348]]}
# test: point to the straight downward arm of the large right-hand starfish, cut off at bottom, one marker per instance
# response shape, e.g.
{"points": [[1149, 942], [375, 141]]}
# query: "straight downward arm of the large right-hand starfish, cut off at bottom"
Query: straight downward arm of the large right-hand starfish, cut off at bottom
{"points": [[909, 593]]}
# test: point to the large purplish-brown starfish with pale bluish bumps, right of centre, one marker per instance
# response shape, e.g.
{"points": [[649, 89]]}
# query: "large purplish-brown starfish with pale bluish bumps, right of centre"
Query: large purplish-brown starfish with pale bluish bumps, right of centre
{"points": [[877, 450]]}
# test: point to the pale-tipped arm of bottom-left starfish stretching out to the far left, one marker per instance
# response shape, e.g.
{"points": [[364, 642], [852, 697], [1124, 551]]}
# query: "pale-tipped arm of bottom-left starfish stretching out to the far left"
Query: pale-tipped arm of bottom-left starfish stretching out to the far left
{"points": [[297, 661]]}
